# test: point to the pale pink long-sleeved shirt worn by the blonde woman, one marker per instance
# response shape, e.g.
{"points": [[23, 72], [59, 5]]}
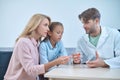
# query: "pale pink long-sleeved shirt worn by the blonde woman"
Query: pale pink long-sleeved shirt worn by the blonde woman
{"points": [[24, 63]]}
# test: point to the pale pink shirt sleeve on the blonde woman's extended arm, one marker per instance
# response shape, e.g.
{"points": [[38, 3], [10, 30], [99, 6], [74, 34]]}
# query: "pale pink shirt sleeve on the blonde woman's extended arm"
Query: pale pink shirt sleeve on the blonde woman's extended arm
{"points": [[27, 61]]}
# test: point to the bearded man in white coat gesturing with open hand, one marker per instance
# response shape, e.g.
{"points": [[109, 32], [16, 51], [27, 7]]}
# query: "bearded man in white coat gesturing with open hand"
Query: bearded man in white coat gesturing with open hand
{"points": [[100, 46]]}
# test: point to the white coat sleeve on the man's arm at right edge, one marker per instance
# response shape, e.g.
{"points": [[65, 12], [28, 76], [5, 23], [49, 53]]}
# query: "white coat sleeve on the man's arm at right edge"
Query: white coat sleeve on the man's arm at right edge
{"points": [[115, 62]]}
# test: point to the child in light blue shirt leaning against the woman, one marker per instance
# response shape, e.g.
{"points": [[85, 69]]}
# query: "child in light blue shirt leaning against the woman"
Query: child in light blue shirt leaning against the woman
{"points": [[52, 46]]}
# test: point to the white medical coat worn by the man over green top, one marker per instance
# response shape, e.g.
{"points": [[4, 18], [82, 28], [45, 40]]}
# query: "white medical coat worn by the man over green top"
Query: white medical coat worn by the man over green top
{"points": [[108, 47]]}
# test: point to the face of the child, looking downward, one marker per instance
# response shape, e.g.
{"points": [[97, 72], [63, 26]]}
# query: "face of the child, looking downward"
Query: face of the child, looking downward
{"points": [[56, 35]]}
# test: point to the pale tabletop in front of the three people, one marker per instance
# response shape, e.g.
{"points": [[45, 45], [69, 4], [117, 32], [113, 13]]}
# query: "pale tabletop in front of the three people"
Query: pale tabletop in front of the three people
{"points": [[82, 72]]}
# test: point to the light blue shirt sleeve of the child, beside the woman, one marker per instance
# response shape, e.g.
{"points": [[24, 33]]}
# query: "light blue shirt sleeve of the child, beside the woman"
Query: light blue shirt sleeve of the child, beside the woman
{"points": [[43, 53]]}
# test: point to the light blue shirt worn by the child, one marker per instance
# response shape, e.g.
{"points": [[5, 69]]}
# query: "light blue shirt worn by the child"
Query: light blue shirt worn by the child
{"points": [[48, 53]]}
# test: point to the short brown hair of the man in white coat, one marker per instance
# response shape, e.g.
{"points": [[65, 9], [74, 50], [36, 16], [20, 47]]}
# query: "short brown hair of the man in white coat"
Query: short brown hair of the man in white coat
{"points": [[91, 13]]}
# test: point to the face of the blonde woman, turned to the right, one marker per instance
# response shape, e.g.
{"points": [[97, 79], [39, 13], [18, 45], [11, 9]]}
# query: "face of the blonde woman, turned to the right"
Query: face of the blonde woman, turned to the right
{"points": [[43, 28]]}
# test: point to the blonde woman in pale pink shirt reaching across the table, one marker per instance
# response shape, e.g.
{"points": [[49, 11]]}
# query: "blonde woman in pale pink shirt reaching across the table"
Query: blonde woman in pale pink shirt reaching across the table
{"points": [[24, 63]]}
